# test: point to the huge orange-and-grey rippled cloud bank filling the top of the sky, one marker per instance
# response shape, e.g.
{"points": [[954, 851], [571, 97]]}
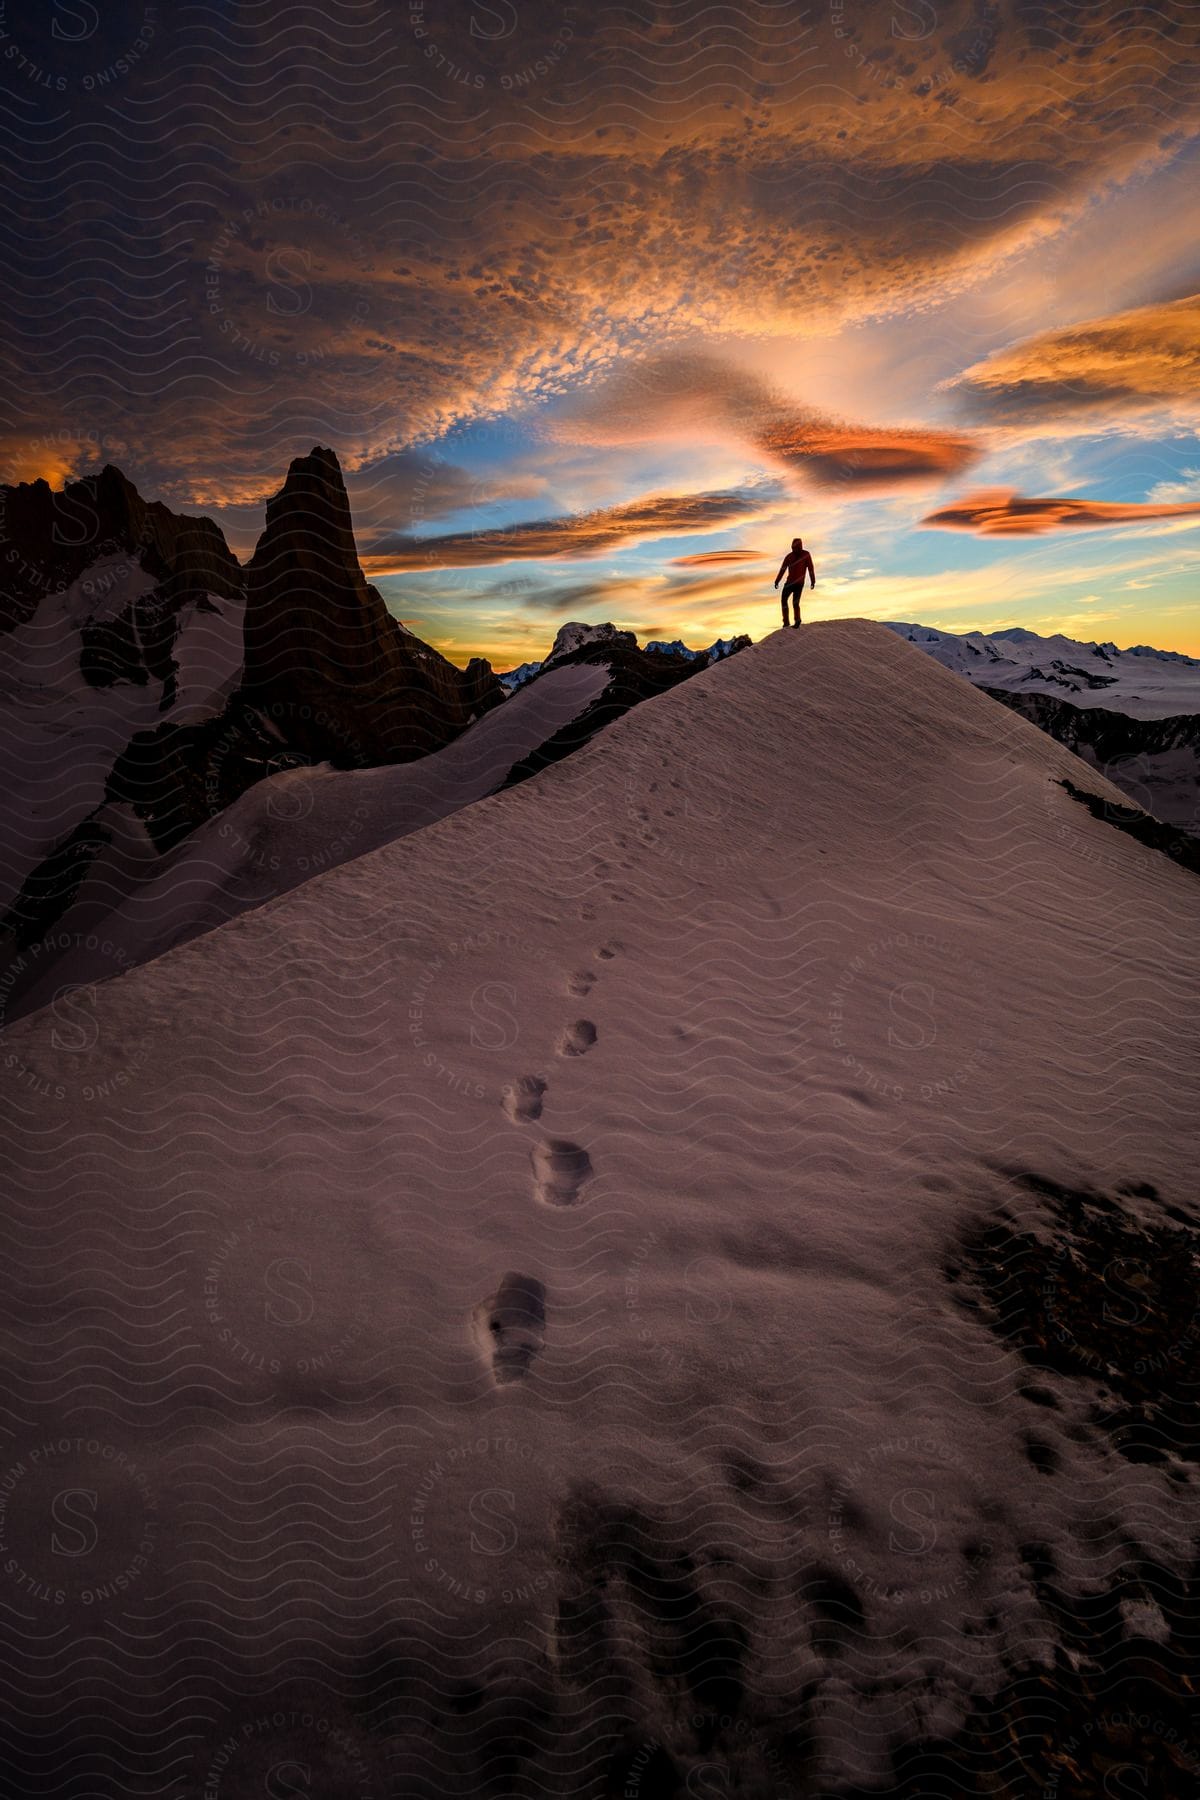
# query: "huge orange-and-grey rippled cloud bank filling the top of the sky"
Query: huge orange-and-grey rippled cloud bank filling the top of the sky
{"points": [[521, 210]]}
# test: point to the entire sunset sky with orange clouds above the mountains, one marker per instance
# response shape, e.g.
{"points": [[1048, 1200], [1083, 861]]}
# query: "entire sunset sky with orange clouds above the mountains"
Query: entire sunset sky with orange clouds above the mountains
{"points": [[600, 307]]}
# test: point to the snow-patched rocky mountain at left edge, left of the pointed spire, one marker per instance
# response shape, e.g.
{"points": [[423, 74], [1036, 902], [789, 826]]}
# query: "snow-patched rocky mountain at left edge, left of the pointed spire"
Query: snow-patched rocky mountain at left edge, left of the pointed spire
{"points": [[125, 625]]}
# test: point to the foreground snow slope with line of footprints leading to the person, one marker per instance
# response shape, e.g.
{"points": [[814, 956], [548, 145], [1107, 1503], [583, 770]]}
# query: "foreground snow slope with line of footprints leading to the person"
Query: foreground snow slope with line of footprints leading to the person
{"points": [[526, 1302]]}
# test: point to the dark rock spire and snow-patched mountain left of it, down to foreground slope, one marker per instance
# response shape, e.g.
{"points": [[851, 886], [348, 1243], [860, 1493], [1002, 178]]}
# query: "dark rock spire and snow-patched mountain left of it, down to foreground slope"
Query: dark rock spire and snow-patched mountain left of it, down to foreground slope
{"points": [[152, 679]]}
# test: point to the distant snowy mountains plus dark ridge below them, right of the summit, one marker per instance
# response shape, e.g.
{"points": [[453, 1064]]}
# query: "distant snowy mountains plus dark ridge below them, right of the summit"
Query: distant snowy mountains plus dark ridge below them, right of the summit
{"points": [[1131, 714]]}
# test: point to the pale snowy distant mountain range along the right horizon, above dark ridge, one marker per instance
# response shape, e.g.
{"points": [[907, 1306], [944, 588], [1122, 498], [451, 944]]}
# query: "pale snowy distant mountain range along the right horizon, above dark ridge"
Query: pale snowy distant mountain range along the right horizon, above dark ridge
{"points": [[1140, 683]]}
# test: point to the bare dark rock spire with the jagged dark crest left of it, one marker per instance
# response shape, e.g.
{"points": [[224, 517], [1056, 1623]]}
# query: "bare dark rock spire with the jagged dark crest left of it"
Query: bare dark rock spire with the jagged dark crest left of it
{"points": [[318, 636]]}
